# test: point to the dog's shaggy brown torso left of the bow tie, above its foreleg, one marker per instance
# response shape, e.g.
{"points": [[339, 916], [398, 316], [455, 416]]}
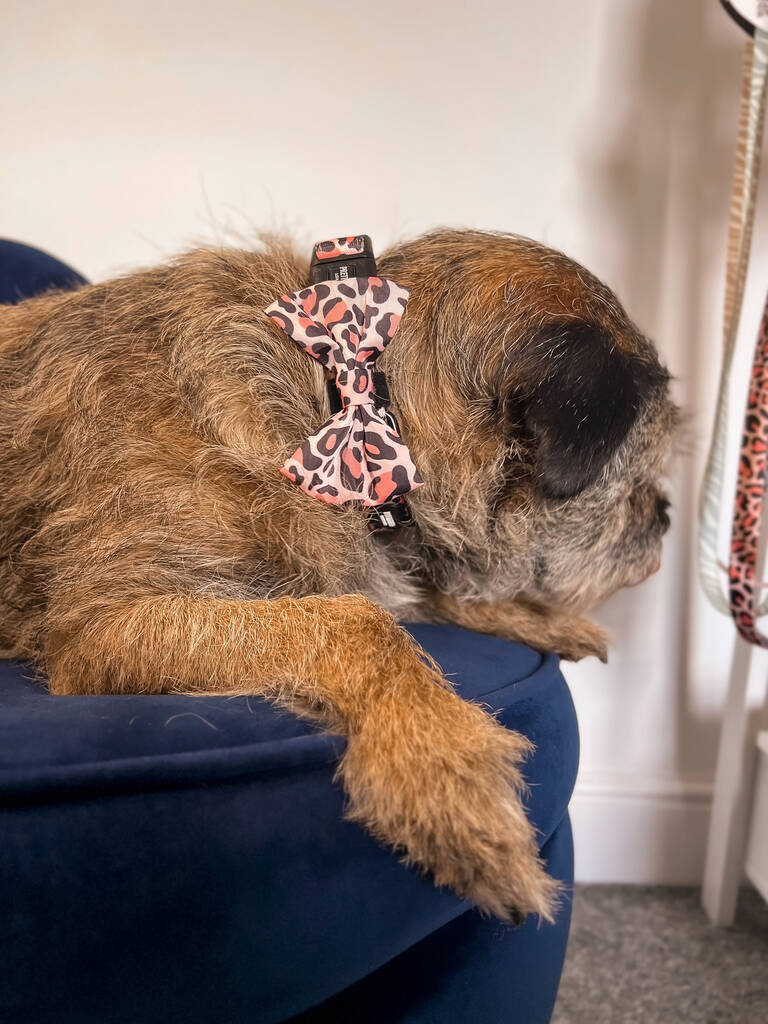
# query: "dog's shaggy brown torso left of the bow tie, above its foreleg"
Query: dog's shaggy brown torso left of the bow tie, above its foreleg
{"points": [[147, 413]]}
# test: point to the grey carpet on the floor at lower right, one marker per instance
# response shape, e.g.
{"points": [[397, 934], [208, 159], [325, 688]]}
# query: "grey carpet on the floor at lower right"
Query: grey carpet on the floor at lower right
{"points": [[650, 956]]}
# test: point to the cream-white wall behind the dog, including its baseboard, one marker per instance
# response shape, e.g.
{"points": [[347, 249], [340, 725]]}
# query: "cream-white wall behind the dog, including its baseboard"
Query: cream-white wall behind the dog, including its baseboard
{"points": [[606, 129]]}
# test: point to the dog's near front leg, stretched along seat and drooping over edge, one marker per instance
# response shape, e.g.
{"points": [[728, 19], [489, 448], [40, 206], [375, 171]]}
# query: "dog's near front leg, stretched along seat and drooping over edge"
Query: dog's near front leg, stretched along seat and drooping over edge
{"points": [[426, 773]]}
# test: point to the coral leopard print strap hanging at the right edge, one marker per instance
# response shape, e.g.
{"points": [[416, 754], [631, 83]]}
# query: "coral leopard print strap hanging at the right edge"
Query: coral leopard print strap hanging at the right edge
{"points": [[751, 485]]}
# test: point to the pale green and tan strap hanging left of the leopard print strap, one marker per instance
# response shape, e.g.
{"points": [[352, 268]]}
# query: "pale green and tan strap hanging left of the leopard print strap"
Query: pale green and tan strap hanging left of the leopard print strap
{"points": [[742, 218]]}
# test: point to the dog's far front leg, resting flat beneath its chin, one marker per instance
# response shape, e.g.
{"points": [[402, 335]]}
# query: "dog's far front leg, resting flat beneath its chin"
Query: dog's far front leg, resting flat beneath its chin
{"points": [[570, 636]]}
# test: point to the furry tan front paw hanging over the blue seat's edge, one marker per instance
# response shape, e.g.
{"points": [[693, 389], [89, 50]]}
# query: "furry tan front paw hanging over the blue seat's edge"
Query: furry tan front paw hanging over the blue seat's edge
{"points": [[444, 786]]}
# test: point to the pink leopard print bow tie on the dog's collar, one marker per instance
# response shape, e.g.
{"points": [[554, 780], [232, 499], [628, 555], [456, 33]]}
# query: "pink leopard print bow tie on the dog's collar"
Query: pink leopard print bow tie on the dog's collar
{"points": [[358, 455]]}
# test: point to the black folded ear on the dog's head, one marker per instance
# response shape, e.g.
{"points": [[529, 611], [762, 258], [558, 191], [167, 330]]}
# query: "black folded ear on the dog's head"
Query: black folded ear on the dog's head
{"points": [[582, 398]]}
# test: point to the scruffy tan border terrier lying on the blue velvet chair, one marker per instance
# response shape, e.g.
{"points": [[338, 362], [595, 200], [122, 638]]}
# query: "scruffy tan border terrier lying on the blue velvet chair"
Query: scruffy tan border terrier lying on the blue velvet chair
{"points": [[150, 543]]}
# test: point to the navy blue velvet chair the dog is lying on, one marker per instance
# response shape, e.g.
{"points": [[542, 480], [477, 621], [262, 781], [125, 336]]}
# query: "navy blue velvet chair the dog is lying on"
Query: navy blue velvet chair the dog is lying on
{"points": [[186, 860]]}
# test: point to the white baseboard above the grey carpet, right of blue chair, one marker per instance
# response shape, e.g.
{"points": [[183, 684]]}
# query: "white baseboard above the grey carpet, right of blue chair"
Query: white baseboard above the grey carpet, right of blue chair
{"points": [[641, 831]]}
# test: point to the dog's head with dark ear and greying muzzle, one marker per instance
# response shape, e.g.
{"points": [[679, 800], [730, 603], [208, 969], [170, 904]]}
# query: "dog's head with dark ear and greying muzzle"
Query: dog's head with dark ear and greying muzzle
{"points": [[539, 416]]}
